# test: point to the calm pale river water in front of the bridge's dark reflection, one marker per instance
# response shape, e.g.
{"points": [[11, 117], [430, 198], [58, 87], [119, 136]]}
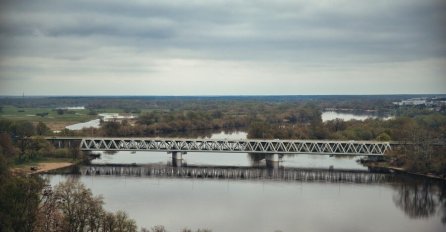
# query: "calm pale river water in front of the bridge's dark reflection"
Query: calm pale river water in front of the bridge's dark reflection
{"points": [[265, 205]]}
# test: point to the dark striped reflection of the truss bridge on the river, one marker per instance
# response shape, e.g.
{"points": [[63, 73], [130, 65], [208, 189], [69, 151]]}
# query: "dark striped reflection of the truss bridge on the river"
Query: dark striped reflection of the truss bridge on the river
{"points": [[237, 173]]}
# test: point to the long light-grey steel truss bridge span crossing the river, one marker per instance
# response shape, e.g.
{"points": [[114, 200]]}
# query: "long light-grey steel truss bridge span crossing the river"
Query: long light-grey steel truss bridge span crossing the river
{"points": [[176, 145]]}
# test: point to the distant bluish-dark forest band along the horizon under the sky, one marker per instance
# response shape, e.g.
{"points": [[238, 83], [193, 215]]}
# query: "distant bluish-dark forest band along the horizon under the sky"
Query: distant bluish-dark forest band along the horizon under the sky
{"points": [[366, 102]]}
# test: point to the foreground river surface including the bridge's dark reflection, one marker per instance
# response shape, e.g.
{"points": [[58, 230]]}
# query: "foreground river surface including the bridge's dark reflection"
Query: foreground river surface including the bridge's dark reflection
{"points": [[346, 197]]}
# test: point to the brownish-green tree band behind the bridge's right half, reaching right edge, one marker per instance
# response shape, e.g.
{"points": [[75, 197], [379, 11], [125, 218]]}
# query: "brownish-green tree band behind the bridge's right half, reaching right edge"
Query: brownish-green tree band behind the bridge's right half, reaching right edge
{"points": [[396, 129]]}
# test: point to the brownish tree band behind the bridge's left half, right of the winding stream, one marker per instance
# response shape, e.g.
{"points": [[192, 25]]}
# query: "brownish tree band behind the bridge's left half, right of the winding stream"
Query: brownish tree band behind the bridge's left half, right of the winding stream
{"points": [[189, 122]]}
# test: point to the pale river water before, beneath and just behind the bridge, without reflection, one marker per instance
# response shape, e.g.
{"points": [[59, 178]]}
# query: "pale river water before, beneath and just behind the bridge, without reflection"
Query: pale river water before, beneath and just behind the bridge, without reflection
{"points": [[402, 203]]}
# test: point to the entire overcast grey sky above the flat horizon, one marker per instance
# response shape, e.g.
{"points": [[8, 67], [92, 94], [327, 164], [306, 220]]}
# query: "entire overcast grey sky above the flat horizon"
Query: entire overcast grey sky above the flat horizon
{"points": [[227, 47]]}
